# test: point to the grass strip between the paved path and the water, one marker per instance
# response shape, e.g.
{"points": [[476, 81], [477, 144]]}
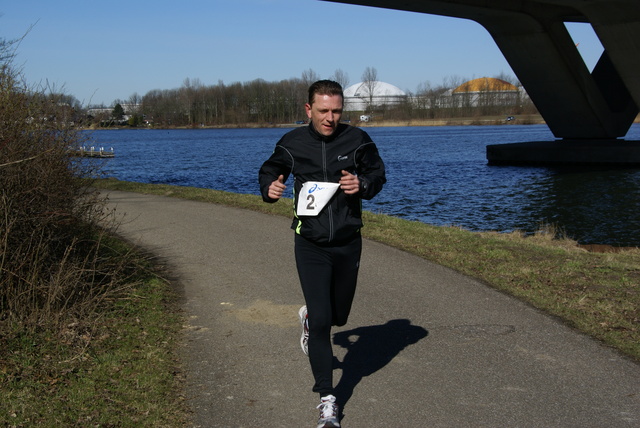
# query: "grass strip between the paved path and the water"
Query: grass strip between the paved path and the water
{"points": [[596, 293]]}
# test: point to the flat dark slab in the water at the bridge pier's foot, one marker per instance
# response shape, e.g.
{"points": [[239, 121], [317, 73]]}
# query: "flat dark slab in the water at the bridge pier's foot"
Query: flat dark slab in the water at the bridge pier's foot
{"points": [[566, 152]]}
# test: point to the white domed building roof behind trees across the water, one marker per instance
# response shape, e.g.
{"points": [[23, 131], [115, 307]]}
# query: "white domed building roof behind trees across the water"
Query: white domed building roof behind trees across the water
{"points": [[361, 96]]}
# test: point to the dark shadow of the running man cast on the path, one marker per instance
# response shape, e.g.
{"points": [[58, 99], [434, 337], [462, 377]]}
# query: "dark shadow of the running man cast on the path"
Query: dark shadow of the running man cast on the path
{"points": [[369, 349]]}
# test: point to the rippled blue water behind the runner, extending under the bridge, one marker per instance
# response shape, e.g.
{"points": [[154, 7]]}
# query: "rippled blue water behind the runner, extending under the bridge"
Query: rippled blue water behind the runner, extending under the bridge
{"points": [[438, 175]]}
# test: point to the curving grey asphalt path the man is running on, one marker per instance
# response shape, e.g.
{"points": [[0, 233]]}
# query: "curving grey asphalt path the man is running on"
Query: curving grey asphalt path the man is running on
{"points": [[424, 347]]}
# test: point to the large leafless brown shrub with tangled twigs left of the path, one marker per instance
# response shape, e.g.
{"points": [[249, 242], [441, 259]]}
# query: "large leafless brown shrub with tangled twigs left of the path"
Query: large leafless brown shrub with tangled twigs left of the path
{"points": [[57, 262]]}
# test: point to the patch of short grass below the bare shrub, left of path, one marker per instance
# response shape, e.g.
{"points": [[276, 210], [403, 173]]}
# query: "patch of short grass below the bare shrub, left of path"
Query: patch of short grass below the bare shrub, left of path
{"points": [[119, 370]]}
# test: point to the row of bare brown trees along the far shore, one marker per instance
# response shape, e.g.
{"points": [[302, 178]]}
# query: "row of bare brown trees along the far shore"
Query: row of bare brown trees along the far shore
{"points": [[264, 103]]}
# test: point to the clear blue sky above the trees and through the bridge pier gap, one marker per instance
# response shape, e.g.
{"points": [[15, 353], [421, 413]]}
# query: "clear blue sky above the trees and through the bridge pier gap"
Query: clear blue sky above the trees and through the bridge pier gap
{"points": [[100, 51]]}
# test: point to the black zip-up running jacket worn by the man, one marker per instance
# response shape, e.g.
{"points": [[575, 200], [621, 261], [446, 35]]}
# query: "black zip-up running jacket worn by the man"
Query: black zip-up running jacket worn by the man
{"points": [[309, 156]]}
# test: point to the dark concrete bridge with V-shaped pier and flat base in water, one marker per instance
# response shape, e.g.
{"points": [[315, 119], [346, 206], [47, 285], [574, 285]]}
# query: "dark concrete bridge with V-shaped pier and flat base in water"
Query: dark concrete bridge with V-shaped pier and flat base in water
{"points": [[583, 109]]}
